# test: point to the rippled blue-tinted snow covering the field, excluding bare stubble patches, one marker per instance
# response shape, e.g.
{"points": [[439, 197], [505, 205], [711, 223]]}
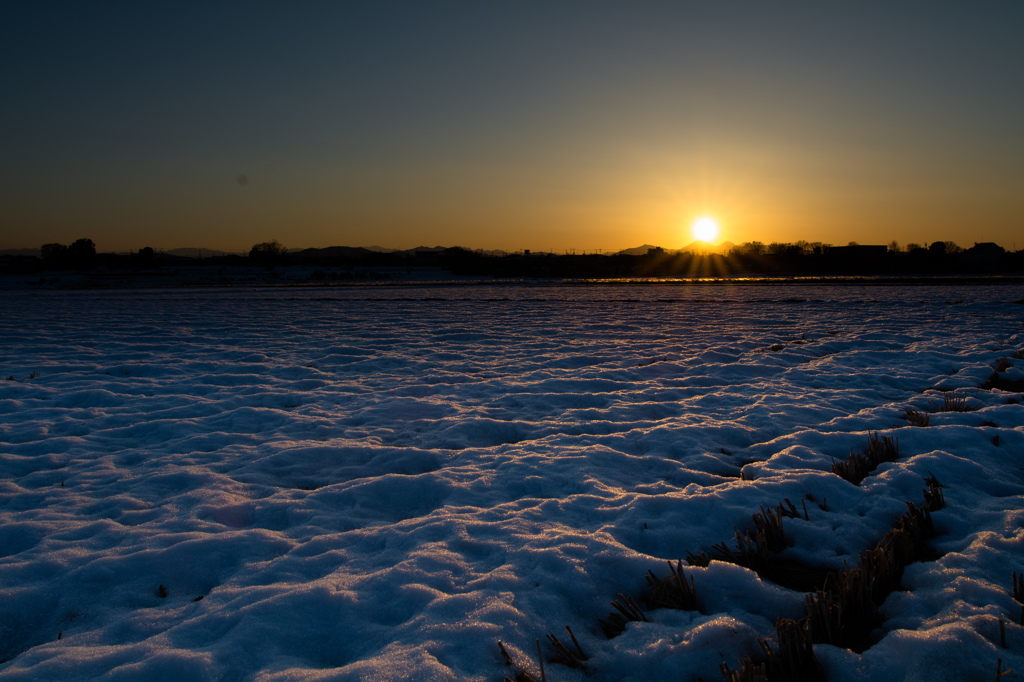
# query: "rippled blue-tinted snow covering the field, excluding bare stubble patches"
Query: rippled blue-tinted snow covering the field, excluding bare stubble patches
{"points": [[382, 483]]}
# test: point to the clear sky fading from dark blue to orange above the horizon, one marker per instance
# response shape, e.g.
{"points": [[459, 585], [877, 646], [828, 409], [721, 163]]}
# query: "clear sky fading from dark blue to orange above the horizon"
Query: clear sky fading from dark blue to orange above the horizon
{"points": [[510, 125]]}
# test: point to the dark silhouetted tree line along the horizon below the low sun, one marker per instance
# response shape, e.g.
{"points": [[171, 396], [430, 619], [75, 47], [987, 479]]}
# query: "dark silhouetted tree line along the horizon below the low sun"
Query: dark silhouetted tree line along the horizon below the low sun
{"points": [[797, 259]]}
